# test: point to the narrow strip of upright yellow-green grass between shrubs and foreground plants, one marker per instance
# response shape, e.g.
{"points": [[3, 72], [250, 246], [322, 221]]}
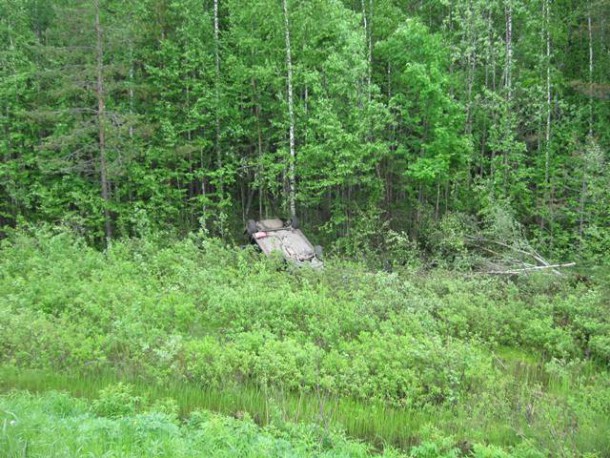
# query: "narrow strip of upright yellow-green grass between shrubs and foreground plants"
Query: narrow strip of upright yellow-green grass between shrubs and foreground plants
{"points": [[374, 422]]}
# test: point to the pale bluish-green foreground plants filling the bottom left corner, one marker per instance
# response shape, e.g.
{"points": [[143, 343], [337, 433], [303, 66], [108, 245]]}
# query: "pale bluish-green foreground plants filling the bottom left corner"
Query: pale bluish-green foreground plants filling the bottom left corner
{"points": [[57, 425]]}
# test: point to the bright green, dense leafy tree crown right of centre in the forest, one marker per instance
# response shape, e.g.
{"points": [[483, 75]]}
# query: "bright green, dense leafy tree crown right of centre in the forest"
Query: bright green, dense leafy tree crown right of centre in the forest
{"points": [[424, 108]]}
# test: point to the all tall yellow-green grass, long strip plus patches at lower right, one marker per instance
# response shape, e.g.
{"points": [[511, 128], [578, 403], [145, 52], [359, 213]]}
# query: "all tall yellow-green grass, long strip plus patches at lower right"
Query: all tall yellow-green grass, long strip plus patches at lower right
{"points": [[374, 422]]}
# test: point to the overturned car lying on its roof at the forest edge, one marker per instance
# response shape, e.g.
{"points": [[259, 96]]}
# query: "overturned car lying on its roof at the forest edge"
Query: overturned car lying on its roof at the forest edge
{"points": [[285, 237]]}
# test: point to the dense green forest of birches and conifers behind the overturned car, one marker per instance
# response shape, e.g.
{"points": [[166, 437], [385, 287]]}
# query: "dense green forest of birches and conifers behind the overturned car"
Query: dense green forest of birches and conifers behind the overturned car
{"points": [[364, 117]]}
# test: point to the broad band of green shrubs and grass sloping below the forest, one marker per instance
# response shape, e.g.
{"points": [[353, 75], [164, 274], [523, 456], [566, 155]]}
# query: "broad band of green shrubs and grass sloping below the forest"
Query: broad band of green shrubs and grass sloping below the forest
{"points": [[398, 358]]}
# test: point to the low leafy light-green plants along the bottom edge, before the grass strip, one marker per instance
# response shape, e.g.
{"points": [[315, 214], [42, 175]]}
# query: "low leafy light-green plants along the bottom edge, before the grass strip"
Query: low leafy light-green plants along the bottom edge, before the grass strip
{"points": [[120, 423]]}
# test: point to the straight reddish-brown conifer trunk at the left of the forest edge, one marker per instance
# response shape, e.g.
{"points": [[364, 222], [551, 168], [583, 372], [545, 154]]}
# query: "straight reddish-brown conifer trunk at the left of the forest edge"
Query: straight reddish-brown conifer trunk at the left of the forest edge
{"points": [[101, 119]]}
